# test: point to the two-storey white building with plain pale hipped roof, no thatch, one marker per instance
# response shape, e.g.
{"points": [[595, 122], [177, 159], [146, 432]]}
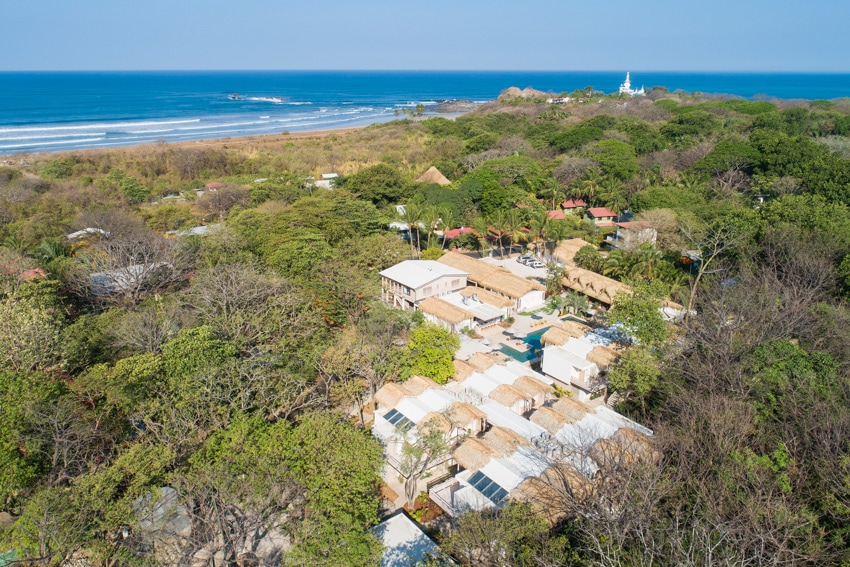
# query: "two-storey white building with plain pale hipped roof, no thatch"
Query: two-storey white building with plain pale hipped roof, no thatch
{"points": [[408, 283]]}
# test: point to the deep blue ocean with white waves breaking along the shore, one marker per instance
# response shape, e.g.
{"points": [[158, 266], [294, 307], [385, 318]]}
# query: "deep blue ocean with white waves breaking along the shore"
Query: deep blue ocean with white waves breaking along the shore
{"points": [[57, 111]]}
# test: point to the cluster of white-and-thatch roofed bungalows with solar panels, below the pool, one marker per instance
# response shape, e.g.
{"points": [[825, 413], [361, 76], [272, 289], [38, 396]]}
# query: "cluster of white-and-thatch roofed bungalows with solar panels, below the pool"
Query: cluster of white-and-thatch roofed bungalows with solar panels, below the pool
{"points": [[503, 425]]}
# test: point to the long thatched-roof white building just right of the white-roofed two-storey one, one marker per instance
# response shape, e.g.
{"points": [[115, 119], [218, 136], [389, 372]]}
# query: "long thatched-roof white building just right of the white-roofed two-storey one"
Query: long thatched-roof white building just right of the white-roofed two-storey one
{"points": [[524, 294]]}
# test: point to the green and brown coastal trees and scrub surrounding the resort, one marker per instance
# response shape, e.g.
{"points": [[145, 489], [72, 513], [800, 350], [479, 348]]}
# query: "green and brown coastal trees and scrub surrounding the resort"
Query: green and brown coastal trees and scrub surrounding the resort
{"points": [[171, 397]]}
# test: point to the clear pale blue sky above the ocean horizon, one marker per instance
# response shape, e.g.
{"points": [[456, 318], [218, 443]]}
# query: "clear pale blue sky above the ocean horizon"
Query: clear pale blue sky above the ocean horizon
{"points": [[586, 35]]}
